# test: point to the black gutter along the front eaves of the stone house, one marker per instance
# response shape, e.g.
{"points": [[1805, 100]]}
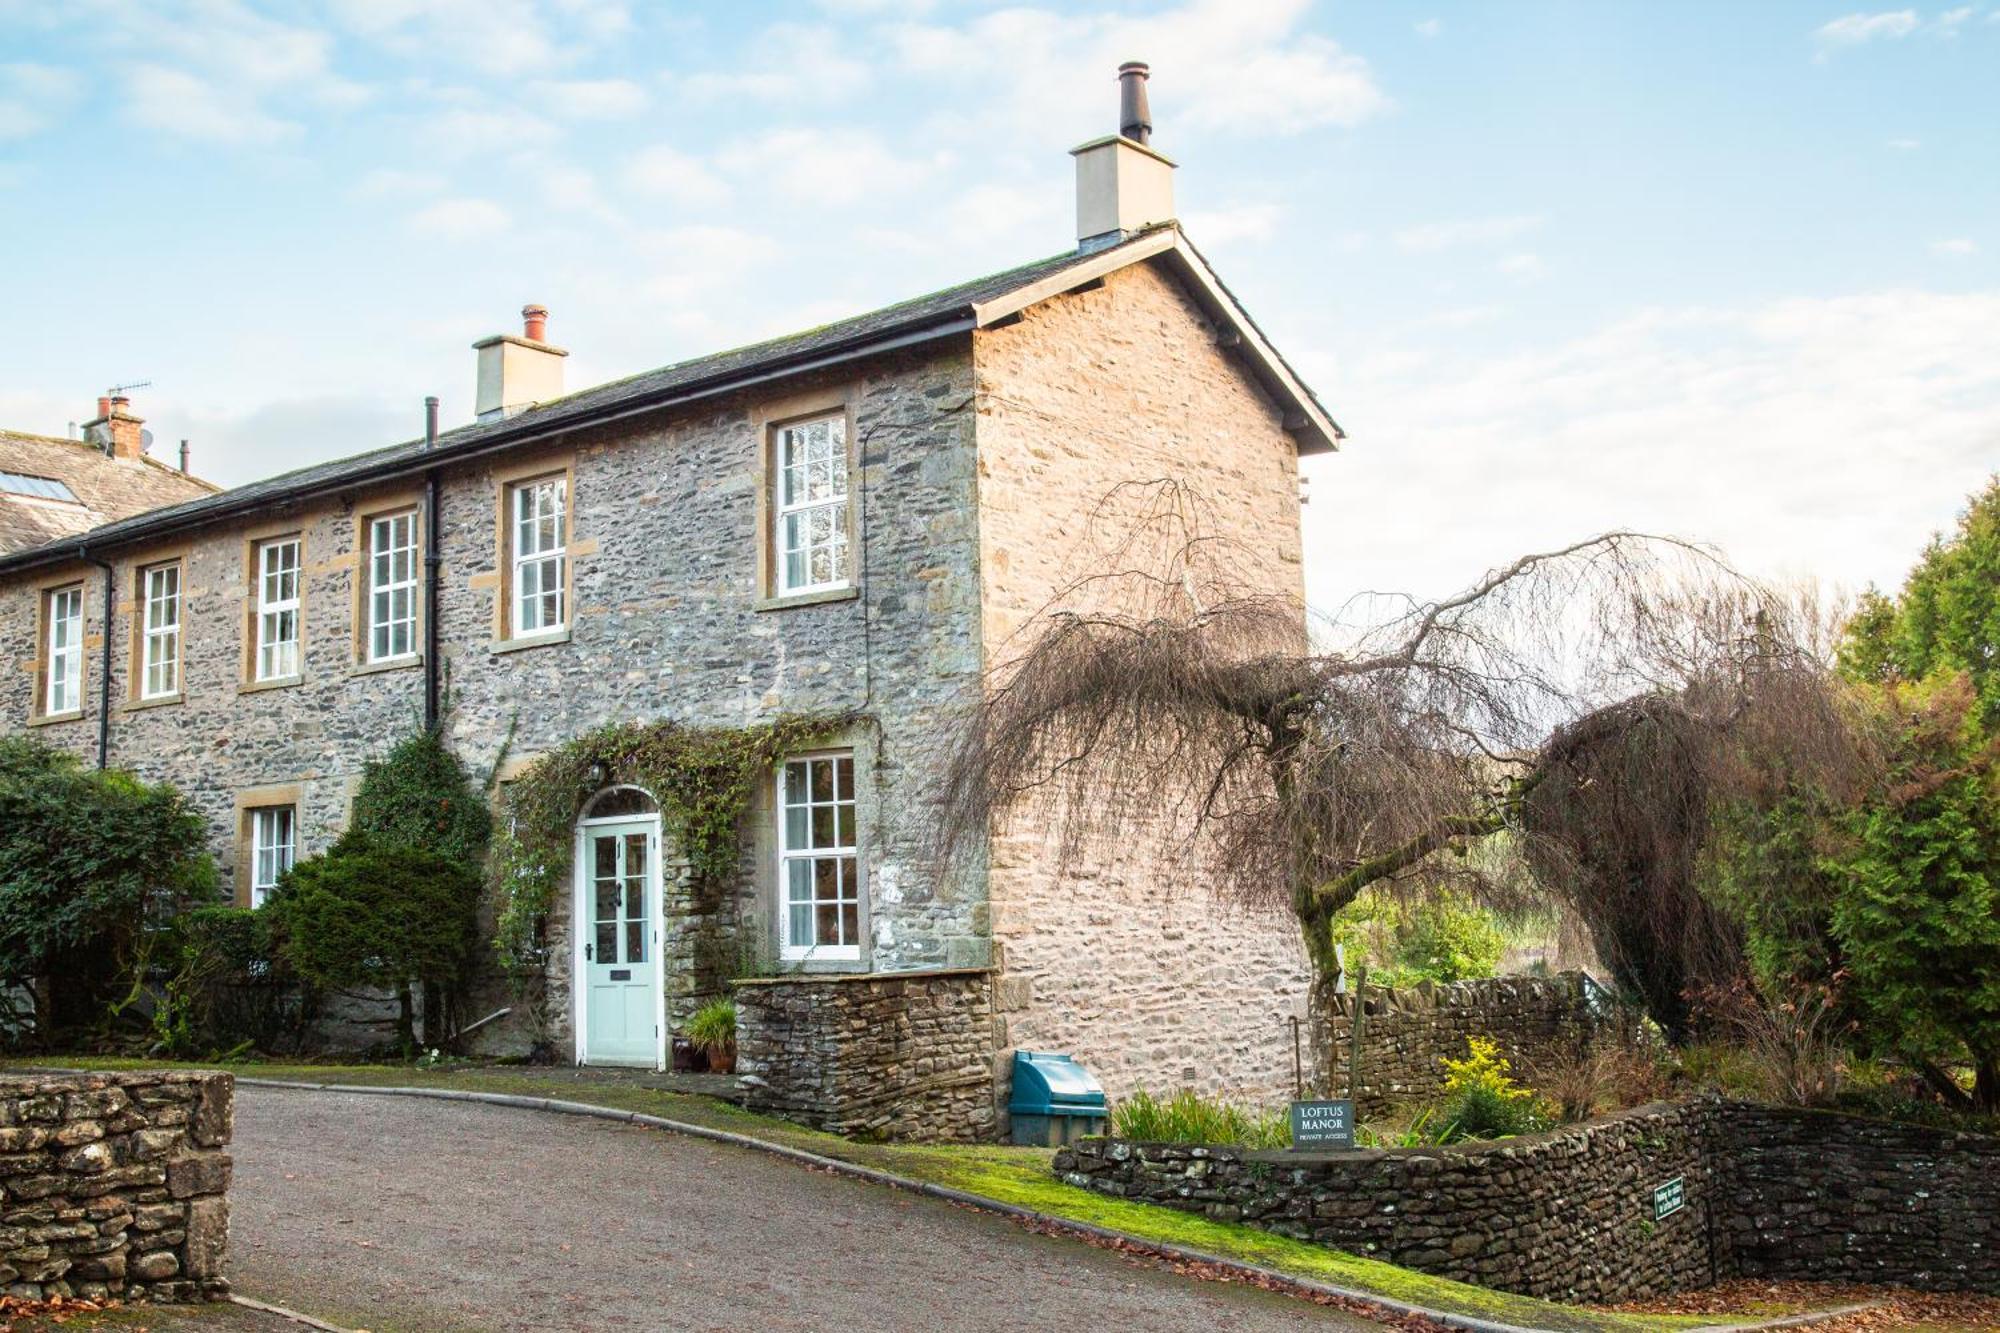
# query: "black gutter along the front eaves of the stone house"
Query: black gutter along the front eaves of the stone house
{"points": [[503, 437]]}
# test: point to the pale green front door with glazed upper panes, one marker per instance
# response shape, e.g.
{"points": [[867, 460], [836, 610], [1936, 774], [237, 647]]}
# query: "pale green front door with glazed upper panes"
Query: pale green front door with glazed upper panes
{"points": [[621, 966]]}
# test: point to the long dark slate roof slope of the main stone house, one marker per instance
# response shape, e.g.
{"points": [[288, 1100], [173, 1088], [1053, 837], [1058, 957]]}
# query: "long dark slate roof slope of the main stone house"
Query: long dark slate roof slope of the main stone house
{"points": [[911, 321]]}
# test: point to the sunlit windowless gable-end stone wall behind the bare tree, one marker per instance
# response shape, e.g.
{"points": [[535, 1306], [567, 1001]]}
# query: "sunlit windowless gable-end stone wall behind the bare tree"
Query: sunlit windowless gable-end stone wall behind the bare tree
{"points": [[1129, 964]]}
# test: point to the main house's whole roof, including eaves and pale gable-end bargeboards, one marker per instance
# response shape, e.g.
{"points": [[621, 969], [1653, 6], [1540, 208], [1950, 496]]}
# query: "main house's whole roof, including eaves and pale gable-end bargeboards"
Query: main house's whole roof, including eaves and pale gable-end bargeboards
{"points": [[953, 311]]}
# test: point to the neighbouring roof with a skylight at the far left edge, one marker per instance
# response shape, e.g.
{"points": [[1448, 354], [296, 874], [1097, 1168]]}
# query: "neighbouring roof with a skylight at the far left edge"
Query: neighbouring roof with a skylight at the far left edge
{"points": [[55, 489]]}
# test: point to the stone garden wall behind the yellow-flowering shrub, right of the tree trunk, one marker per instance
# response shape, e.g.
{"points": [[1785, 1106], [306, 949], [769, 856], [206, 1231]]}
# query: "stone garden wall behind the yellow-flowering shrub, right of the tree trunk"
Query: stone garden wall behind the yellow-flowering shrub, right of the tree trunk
{"points": [[1411, 1032]]}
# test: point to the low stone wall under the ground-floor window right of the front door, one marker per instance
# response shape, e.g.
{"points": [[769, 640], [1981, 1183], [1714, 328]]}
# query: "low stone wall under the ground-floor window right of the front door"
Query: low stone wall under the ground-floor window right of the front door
{"points": [[895, 1056]]}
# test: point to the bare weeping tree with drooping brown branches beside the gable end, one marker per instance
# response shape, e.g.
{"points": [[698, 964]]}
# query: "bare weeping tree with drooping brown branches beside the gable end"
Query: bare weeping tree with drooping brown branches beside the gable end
{"points": [[1591, 700]]}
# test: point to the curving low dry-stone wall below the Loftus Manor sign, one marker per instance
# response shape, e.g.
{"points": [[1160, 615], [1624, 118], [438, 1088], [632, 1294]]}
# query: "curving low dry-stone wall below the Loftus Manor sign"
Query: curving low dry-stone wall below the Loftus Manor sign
{"points": [[1563, 1216]]}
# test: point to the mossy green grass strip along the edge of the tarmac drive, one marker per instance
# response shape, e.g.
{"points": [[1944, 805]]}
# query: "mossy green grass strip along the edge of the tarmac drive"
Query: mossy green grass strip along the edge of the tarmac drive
{"points": [[1017, 1176]]}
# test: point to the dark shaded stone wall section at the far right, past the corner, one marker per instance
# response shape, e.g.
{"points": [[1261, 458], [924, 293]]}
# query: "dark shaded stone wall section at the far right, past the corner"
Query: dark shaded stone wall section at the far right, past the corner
{"points": [[1847, 1200]]}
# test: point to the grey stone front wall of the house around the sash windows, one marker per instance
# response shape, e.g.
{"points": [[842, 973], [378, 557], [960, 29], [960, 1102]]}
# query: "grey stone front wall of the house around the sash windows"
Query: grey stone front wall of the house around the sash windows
{"points": [[669, 623]]}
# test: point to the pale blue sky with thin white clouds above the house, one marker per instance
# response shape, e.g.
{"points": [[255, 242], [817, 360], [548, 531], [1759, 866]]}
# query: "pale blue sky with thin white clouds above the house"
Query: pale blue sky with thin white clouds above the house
{"points": [[1725, 271]]}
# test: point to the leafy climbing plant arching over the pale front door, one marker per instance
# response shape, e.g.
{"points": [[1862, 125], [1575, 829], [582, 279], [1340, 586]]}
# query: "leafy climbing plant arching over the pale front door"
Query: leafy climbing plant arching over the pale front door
{"points": [[703, 778]]}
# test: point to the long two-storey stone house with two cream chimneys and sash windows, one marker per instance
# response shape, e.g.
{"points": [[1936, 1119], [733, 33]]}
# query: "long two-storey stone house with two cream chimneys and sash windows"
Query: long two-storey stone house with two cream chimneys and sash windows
{"points": [[851, 519]]}
